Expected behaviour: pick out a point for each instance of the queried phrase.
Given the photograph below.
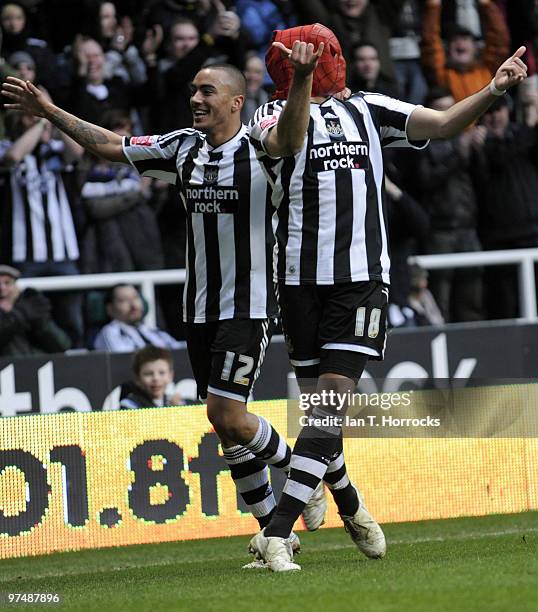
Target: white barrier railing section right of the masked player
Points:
(523, 258)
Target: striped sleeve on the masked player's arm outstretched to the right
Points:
(392, 117)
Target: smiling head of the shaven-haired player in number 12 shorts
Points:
(215, 99)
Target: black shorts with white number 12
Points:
(226, 356)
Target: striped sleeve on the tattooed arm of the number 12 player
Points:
(156, 156)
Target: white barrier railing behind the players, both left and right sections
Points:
(523, 258)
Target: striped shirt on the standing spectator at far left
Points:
(36, 223)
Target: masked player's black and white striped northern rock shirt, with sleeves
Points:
(330, 219)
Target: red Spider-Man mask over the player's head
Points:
(330, 72)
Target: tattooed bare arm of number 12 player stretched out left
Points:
(29, 99)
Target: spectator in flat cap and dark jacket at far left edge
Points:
(26, 327)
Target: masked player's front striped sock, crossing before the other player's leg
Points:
(309, 462)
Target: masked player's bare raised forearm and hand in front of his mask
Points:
(287, 137)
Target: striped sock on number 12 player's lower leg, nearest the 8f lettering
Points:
(251, 478)
